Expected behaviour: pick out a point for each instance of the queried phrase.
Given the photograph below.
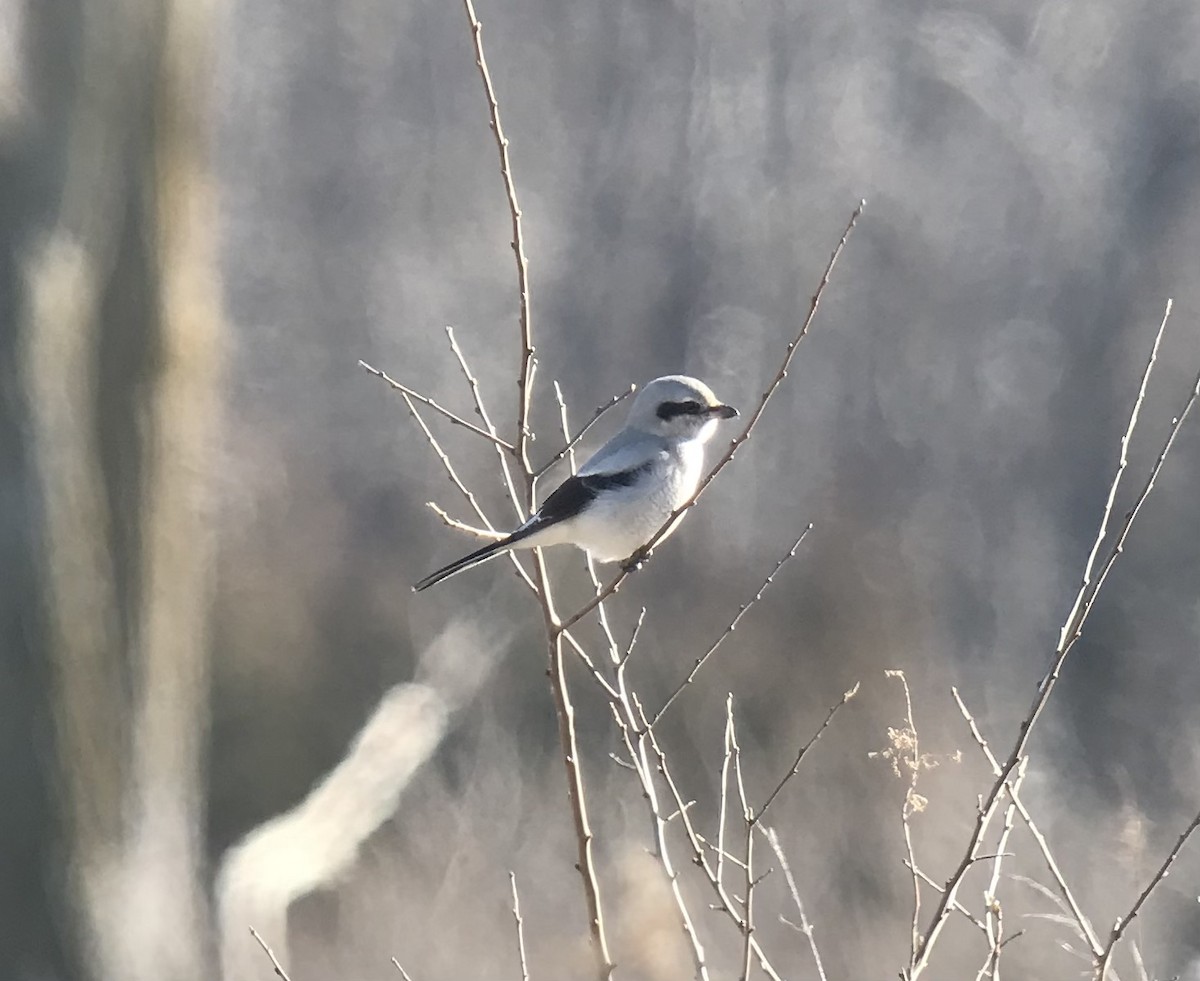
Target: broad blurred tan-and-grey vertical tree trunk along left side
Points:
(115, 270)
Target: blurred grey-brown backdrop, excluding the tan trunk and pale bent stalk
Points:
(951, 428)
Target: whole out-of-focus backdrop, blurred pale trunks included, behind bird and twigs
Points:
(212, 516)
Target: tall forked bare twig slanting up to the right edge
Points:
(1072, 631)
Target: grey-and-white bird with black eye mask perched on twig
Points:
(626, 491)
